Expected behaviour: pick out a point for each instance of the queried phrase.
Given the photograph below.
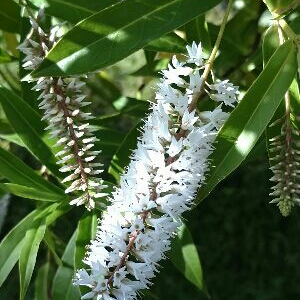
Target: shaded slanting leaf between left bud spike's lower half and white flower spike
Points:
(121, 159)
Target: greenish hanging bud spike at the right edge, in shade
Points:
(285, 165)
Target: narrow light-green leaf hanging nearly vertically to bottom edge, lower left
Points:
(30, 247)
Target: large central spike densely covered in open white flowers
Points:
(159, 184)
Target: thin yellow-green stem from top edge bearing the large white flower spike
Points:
(212, 57)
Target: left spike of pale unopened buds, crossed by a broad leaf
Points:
(62, 101)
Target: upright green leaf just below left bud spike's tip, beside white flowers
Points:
(86, 231)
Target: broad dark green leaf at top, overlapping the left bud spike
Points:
(116, 32)
